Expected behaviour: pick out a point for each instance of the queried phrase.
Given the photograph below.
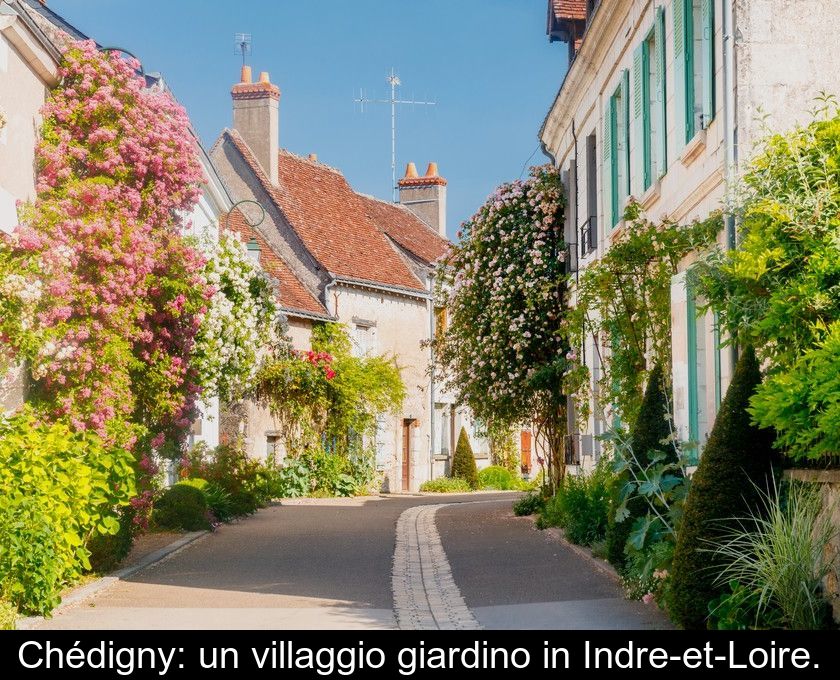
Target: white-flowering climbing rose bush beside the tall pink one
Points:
(242, 320)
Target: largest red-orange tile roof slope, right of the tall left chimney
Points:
(330, 219)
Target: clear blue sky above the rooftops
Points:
(487, 62)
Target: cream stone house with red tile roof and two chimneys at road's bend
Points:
(346, 258)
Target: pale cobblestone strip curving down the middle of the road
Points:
(425, 594)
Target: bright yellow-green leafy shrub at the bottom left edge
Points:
(58, 488)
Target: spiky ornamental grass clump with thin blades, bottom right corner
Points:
(777, 554)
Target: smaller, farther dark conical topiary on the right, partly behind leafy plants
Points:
(650, 428)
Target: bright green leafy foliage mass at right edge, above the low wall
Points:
(779, 290)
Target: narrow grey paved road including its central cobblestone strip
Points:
(457, 562)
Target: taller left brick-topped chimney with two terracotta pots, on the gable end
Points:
(256, 116)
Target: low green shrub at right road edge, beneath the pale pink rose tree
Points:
(581, 505)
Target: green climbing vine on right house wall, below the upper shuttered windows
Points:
(623, 302)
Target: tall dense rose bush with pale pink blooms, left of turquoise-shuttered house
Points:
(504, 351)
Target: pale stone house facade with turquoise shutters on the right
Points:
(662, 101)
